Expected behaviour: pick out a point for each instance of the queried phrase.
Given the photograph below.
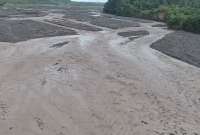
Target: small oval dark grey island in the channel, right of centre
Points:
(133, 33)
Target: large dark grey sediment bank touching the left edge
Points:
(15, 31)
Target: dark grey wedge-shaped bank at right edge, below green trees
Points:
(181, 45)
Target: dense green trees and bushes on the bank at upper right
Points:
(178, 14)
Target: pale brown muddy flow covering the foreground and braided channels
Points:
(89, 84)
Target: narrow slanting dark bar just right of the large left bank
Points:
(74, 25)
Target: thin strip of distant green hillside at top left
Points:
(34, 1)
